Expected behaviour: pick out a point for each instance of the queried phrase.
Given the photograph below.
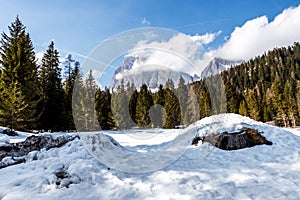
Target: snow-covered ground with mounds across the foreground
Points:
(202, 172)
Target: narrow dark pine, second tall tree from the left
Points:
(53, 95)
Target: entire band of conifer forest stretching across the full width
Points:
(37, 97)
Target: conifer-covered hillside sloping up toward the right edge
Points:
(265, 88)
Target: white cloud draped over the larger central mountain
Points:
(181, 52)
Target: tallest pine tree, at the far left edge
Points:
(17, 59)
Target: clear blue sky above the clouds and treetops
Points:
(78, 26)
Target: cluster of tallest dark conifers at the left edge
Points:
(33, 97)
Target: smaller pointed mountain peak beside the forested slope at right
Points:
(217, 65)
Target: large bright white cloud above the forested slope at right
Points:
(259, 35)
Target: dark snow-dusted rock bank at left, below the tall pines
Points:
(32, 143)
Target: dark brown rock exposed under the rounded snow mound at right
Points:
(232, 141)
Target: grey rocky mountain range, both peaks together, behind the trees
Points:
(153, 76)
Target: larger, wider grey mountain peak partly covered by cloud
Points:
(151, 75)
